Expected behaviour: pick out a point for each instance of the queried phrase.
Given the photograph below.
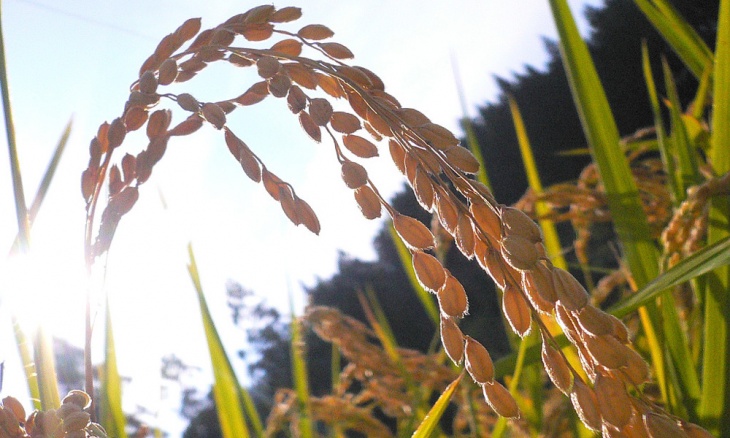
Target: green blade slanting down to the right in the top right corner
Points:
(678, 33)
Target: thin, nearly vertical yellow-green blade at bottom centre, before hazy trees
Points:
(301, 382)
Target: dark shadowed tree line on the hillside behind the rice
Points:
(544, 98)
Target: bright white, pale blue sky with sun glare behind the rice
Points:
(76, 60)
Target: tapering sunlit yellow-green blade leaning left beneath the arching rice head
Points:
(225, 386)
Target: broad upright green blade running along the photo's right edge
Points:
(715, 402)
